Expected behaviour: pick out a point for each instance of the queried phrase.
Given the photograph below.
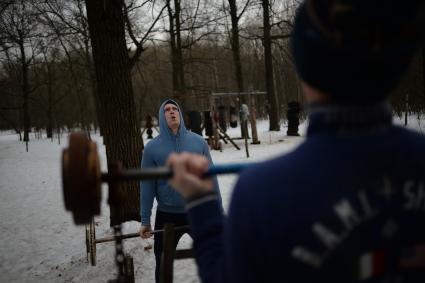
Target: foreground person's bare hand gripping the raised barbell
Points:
(188, 169)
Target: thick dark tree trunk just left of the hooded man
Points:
(122, 130)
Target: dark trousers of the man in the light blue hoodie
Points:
(178, 219)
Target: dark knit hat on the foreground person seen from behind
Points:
(356, 50)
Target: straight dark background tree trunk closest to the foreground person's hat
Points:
(273, 101)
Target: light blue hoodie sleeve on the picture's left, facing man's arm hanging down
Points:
(147, 190)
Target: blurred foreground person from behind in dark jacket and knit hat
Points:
(348, 205)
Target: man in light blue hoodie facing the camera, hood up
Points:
(173, 137)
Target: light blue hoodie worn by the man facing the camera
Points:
(155, 154)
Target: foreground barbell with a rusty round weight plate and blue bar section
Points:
(82, 177)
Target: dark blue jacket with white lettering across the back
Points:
(348, 205)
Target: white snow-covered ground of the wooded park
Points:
(40, 243)
